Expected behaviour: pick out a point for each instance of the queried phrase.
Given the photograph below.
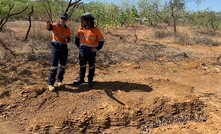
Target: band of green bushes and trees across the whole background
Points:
(156, 12)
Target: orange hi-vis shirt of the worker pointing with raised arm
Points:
(60, 34)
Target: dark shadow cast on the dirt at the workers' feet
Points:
(108, 88)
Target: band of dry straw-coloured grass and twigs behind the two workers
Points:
(132, 44)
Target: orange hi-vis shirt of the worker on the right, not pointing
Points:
(90, 37)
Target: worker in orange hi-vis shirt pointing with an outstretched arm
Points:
(59, 52)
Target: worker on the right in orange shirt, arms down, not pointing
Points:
(89, 40)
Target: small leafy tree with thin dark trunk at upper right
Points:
(170, 12)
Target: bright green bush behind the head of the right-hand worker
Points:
(109, 14)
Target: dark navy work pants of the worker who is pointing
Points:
(59, 55)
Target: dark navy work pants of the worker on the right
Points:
(87, 56)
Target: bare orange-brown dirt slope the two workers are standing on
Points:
(147, 86)
